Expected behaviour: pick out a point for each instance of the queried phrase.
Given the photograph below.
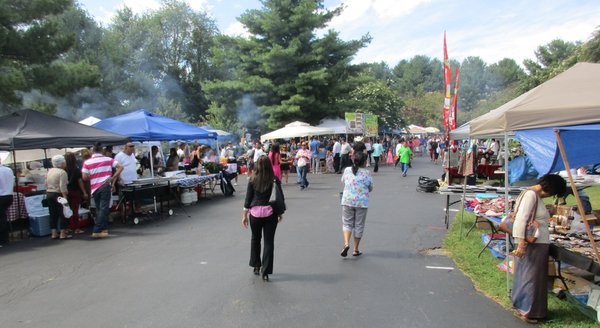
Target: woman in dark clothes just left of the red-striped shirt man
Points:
(77, 191)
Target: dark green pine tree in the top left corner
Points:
(31, 45)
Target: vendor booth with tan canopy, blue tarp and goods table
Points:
(555, 118)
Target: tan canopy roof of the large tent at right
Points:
(570, 98)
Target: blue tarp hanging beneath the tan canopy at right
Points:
(581, 143)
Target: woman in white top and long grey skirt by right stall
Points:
(530, 287)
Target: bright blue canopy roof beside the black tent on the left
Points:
(145, 126)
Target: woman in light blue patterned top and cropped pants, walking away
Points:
(358, 183)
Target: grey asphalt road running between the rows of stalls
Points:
(193, 271)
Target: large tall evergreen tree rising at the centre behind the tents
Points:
(287, 71)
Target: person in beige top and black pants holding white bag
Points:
(56, 186)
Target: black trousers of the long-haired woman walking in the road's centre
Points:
(260, 226)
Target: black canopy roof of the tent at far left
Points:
(30, 129)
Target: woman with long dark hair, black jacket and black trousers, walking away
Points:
(263, 221)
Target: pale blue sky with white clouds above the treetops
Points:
(402, 29)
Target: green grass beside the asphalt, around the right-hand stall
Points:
(492, 282)
